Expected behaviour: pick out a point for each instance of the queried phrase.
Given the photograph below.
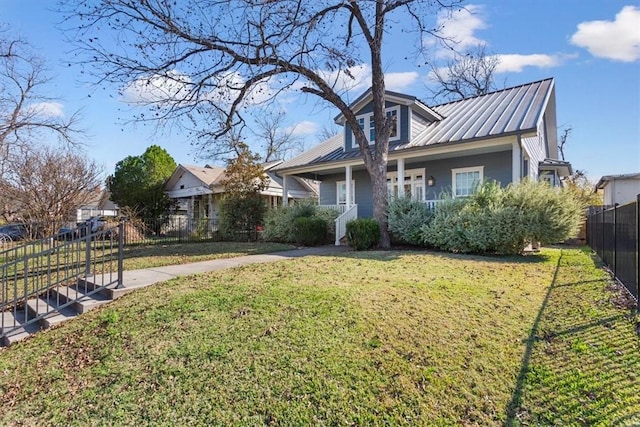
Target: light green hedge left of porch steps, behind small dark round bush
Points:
(279, 223)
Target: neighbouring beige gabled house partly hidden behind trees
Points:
(197, 190)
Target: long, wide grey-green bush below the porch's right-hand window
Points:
(503, 220)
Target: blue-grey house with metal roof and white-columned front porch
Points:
(506, 135)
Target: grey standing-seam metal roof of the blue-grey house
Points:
(503, 112)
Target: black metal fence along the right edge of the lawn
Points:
(613, 234)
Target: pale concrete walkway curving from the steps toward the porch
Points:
(134, 279)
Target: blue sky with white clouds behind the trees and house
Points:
(590, 47)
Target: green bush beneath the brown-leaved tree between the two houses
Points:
(240, 217)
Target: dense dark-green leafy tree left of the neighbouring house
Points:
(138, 182)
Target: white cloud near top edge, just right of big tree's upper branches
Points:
(460, 26)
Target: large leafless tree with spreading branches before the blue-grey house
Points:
(199, 60)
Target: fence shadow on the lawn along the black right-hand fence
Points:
(580, 363)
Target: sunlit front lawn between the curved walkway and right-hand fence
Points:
(374, 338)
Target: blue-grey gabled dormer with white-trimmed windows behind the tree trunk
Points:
(409, 113)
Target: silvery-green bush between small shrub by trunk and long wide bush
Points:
(406, 216)
